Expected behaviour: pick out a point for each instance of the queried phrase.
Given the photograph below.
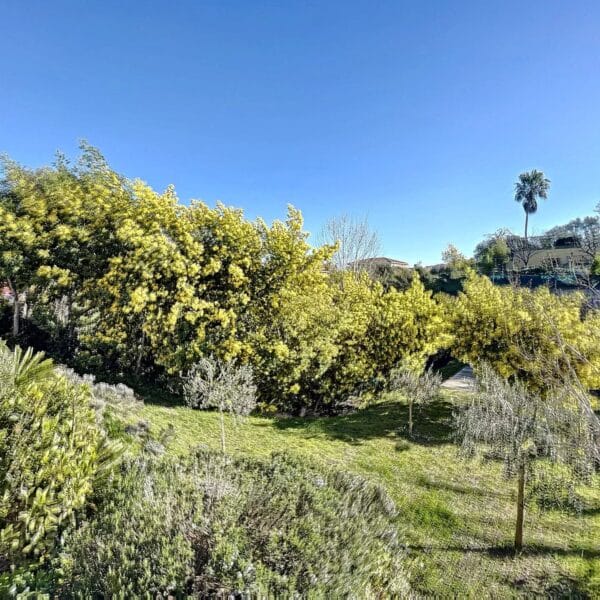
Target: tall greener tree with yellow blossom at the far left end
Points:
(57, 226)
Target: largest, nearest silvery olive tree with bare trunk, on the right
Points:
(521, 427)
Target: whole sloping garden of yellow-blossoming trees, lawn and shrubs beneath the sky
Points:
(194, 404)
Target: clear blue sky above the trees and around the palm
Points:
(421, 114)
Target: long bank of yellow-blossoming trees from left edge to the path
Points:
(128, 281)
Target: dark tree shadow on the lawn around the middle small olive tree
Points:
(386, 419)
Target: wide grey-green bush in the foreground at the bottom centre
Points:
(209, 525)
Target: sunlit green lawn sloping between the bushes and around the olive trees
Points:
(457, 517)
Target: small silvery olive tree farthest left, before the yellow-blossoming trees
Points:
(224, 386)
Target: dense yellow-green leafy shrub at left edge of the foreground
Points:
(51, 453)
